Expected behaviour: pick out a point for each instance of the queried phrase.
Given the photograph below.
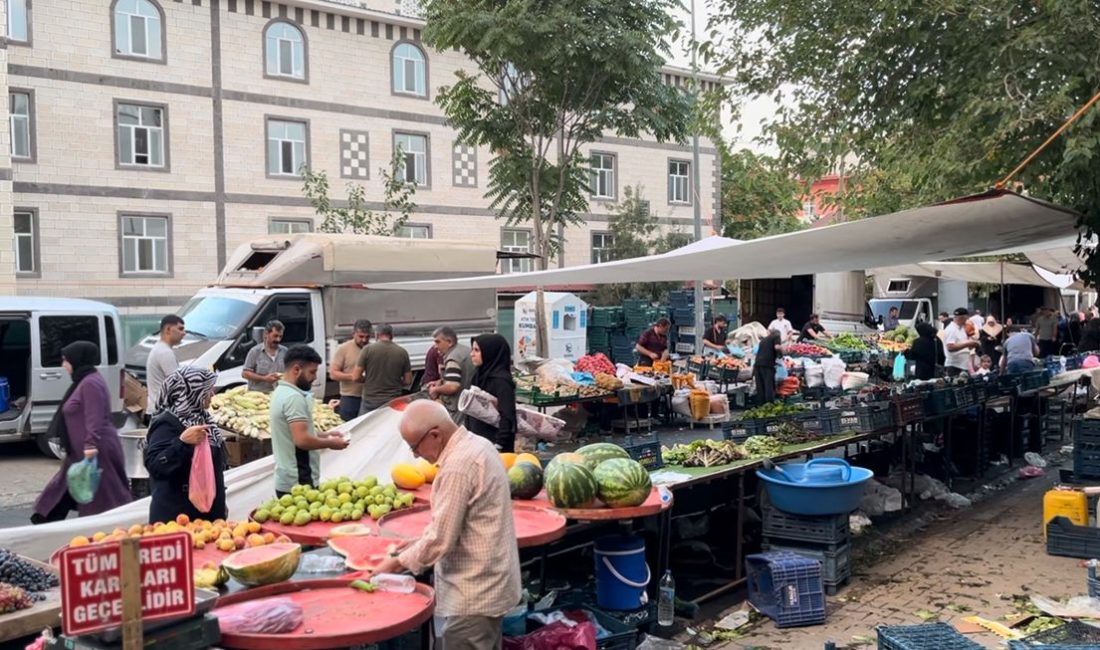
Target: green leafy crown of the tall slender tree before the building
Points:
(552, 79)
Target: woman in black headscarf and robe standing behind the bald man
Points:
(492, 357)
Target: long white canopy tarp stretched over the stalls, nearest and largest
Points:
(971, 226)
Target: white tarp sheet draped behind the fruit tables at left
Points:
(376, 448)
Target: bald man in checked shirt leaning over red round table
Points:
(471, 537)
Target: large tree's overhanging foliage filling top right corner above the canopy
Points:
(936, 100)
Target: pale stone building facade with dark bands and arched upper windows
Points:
(148, 138)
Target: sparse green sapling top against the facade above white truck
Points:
(357, 217)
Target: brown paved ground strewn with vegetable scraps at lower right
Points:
(967, 560)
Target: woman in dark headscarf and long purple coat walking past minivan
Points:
(83, 426)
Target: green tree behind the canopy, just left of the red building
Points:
(758, 197)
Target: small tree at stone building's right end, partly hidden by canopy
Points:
(636, 233)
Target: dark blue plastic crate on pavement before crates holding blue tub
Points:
(787, 589)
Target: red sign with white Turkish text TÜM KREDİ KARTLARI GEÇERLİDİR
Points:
(92, 582)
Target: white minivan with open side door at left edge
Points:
(32, 334)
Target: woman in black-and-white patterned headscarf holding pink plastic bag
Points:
(182, 423)
